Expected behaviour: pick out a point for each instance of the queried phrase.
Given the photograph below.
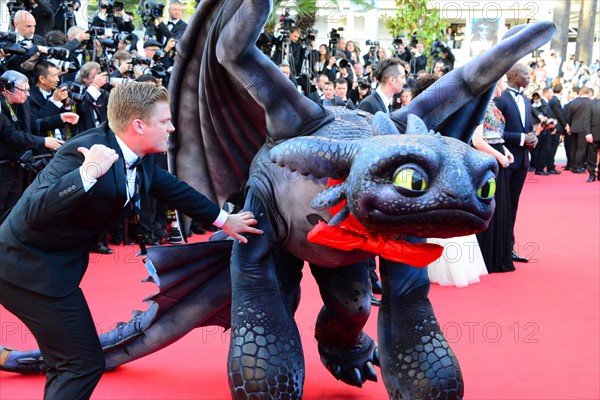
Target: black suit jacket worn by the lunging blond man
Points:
(45, 241)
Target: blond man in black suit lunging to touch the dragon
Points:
(92, 182)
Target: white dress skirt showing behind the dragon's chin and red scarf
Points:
(461, 262)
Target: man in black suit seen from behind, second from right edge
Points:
(579, 118)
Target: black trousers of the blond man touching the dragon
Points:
(65, 332)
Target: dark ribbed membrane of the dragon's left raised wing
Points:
(220, 126)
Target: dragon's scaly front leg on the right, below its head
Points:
(416, 360)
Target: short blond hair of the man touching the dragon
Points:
(131, 101)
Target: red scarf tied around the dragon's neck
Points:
(416, 254)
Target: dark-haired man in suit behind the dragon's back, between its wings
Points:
(391, 77)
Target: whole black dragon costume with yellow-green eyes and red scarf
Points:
(332, 187)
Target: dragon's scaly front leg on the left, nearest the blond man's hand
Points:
(265, 353)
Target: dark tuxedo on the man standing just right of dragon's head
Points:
(514, 129)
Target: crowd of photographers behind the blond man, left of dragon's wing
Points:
(56, 79)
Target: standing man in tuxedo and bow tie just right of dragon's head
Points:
(518, 136)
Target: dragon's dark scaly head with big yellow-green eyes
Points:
(420, 184)
